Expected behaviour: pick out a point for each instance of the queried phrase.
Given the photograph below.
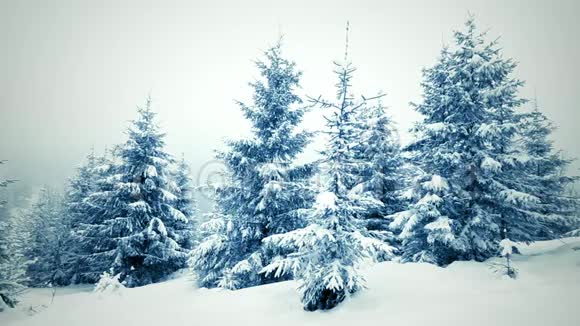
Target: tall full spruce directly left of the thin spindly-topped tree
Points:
(266, 189)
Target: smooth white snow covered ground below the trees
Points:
(547, 292)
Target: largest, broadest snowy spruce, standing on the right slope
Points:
(470, 189)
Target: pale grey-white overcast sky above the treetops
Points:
(72, 72)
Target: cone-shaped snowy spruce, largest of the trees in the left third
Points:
(135, 219)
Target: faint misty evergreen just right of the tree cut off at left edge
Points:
(51, 241)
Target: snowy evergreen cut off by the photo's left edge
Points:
(13, 263)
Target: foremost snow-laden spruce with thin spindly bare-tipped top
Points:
(326, 255)
